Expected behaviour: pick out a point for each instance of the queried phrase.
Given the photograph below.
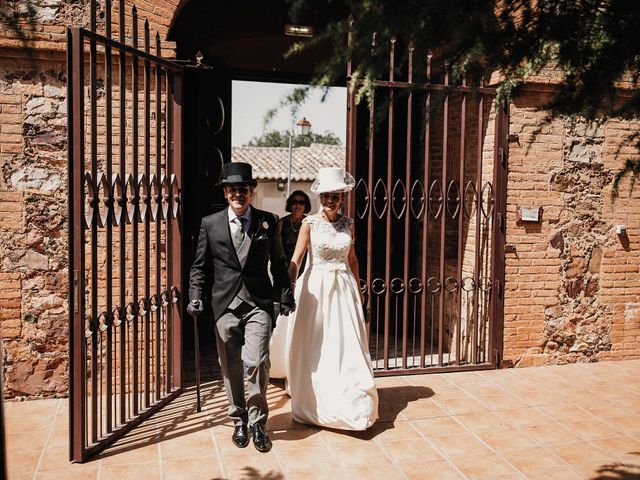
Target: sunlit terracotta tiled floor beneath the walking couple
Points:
(558, 422)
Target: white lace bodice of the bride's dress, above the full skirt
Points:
(330, 241)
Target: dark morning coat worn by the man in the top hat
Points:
(215, 254)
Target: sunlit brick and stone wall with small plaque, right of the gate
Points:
(571, 282)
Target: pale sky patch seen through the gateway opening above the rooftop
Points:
(251, 100)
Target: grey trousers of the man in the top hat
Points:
(242, 335)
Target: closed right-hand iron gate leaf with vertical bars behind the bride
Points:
(430, 163)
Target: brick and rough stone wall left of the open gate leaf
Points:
(33, 195)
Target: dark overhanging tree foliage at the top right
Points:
(593, 43)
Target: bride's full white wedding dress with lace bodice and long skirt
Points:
(322, 348)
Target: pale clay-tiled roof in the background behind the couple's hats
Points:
(272, 163)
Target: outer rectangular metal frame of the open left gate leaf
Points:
(76, 37)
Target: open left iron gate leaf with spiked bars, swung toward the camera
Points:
(125, 264)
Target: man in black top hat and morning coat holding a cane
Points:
(234, 249)
